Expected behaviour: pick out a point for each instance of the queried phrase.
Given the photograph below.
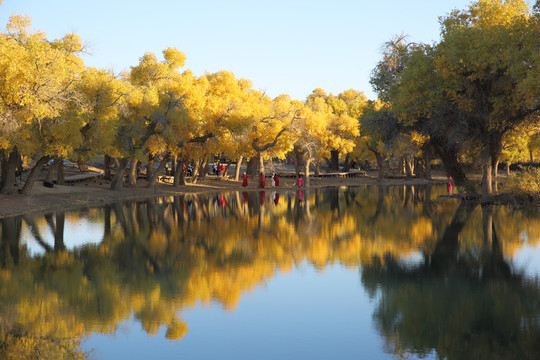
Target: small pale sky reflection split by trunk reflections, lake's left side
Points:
(76, 234)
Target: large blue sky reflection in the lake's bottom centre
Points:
(302, 314)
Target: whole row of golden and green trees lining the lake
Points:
(475, 92)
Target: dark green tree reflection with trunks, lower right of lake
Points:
(459, 303)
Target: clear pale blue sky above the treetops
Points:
(287, 47)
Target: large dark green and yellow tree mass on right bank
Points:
(474, 95)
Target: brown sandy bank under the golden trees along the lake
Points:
(96, 191)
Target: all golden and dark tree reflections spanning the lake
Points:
(160, 256)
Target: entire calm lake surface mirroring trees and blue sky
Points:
(339, 273)
